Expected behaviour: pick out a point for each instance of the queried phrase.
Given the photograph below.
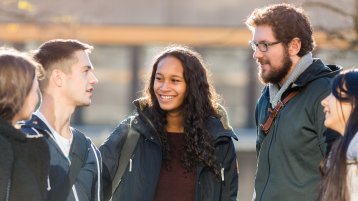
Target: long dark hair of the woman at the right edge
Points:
(334, 183)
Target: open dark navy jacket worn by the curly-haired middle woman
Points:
(140, 181)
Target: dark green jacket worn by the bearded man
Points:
(289, 155)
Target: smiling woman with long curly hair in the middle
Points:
(185, 149)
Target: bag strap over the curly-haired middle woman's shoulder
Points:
(129, 145)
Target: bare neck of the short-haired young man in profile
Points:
(57, 114)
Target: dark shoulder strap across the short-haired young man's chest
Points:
(78, 157)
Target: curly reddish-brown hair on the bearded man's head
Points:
(287, 22)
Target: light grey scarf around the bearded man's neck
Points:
(276, 92)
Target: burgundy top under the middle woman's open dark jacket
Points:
(175, 184)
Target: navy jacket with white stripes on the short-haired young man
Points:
(87, 186)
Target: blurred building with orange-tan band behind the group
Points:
(127, 34)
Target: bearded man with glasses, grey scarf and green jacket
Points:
(291, 137)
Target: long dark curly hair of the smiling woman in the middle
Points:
(200, 102)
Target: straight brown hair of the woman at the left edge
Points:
(17, 73)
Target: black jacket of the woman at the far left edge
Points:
(24, 164)
